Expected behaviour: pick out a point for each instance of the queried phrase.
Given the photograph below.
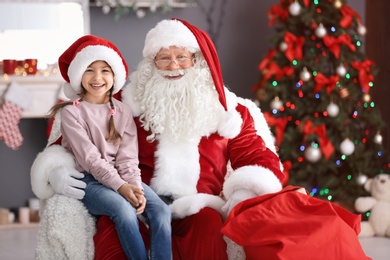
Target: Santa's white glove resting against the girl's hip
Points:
(65, 181)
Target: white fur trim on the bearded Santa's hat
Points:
(169, 33)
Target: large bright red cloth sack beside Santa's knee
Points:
(291, 225)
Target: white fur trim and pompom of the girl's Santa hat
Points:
(88, 55)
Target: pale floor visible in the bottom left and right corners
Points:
(18, 243)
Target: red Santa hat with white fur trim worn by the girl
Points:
(87, 49)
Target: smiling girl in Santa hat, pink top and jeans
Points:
(106, 152)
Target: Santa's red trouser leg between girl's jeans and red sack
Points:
(199, 237)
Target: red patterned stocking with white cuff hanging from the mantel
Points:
(15, 100)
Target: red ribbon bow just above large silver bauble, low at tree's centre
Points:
(325, 145)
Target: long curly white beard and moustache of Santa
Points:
(182, 110)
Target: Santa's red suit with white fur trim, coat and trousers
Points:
(196, 228)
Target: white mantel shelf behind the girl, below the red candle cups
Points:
(45, 92)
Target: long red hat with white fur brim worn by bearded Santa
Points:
(176, 32)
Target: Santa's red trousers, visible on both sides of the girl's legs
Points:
(195, 237)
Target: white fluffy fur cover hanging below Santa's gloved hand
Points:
(66, 230)
